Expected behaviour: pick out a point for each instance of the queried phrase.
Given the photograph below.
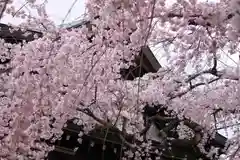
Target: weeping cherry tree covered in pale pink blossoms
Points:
(75, 73)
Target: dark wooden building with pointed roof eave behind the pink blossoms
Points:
(91, 147)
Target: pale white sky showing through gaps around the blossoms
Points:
(57, 10)
